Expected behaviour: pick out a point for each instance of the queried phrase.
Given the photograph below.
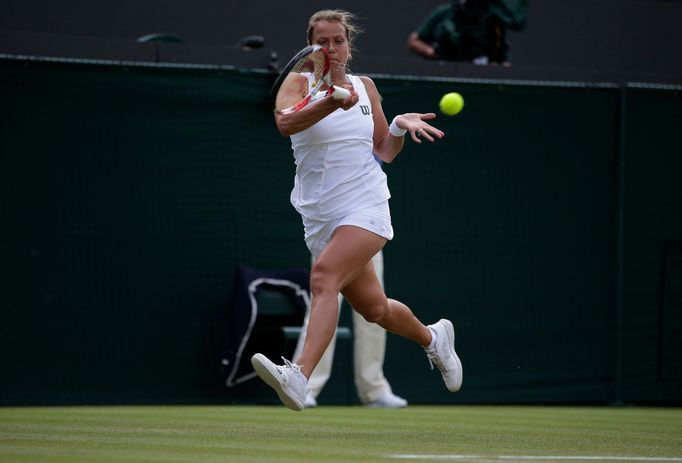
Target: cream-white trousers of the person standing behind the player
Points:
(369, 348)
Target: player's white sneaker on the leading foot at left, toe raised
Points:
(287, 380)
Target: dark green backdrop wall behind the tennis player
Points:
(546, 225)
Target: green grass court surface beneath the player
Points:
(336, 434)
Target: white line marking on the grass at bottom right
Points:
(484, 458)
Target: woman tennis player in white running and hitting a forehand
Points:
(342, 195)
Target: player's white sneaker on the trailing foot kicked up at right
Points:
(443, 355)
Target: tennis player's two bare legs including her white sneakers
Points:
(345, 264)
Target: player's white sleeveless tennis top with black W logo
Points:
(336, 173)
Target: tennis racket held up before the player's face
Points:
(305, 78)
